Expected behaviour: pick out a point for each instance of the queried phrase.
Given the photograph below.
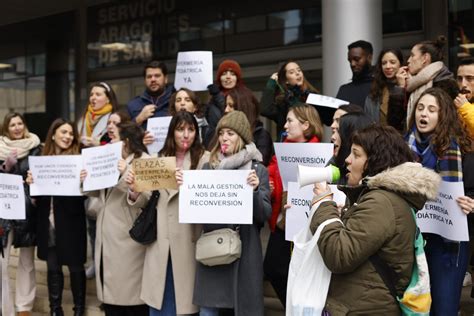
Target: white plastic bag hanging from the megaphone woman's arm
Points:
(308, 276)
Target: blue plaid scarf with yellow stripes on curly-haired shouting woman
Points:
(449, 166)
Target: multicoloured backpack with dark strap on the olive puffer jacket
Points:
(416, 299)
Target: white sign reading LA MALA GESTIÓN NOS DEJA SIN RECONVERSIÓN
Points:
(215, 197)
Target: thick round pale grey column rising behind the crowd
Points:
(346, 21)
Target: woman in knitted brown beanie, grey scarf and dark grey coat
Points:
(237, 285)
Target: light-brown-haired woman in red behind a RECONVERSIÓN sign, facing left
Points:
(302, 126)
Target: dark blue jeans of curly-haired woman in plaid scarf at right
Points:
(447, 263)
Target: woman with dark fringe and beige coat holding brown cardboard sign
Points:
(170, 265)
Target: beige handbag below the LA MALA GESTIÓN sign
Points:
(218, 247)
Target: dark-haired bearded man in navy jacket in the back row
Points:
(154, 101)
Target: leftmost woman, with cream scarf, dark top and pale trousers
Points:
(16, 145)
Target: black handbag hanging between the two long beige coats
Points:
(144, 228)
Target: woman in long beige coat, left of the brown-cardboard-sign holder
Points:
(119, 258)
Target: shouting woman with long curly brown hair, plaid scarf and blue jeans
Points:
(439, 142)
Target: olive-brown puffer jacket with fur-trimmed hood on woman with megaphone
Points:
(378, 220)
